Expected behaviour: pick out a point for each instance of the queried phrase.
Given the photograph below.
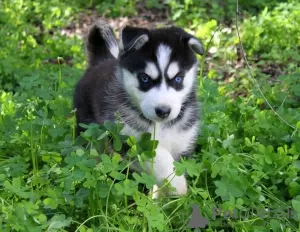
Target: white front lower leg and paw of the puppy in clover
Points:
(164, 169)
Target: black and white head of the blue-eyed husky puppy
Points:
(158, 69)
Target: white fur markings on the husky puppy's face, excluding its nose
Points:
(161, 95)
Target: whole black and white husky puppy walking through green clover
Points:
(149, 77)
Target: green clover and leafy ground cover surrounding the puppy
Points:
(247, 156)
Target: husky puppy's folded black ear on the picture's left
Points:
(133, 38)
